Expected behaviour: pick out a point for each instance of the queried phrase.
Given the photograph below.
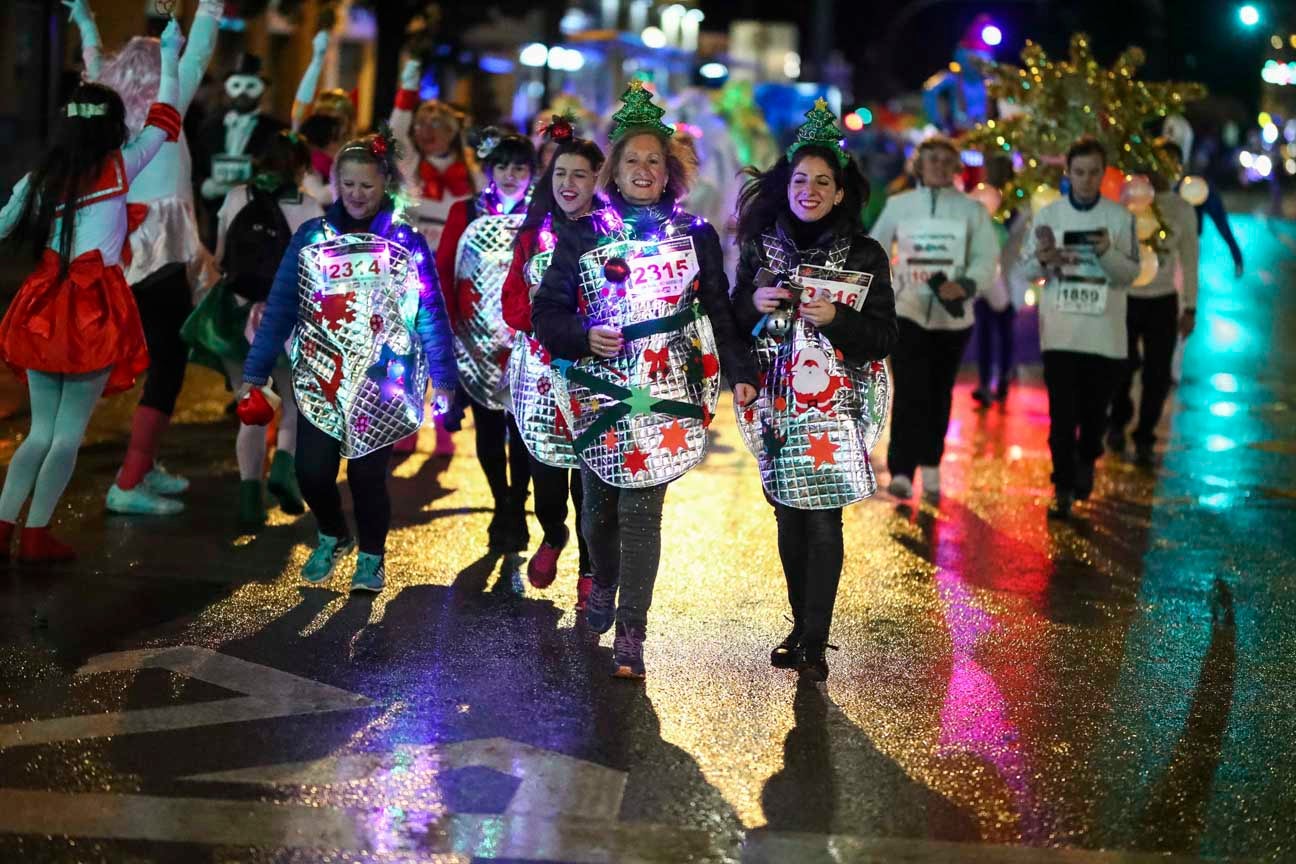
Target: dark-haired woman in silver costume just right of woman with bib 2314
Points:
(472, 261)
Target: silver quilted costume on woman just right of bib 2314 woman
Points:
(483, 340)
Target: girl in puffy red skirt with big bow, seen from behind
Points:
(73, 330)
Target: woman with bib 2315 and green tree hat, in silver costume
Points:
(642, 317)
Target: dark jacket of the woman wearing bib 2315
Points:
(562, 330)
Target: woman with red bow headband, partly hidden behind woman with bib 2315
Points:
(563, 204)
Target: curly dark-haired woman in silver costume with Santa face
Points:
(824, 389)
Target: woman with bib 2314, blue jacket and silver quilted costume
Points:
(358, 292)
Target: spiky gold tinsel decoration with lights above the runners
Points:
(1054, 103)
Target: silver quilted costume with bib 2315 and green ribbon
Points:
(641, 419)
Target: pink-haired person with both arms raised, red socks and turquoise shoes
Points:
(167, 256)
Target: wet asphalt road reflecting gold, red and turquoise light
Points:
(1005, 691)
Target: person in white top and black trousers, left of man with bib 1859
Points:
(947, 253)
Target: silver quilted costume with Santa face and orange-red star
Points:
(817, 416)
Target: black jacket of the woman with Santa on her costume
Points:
(865, 335)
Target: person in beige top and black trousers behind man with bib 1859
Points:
(1159, 314)
